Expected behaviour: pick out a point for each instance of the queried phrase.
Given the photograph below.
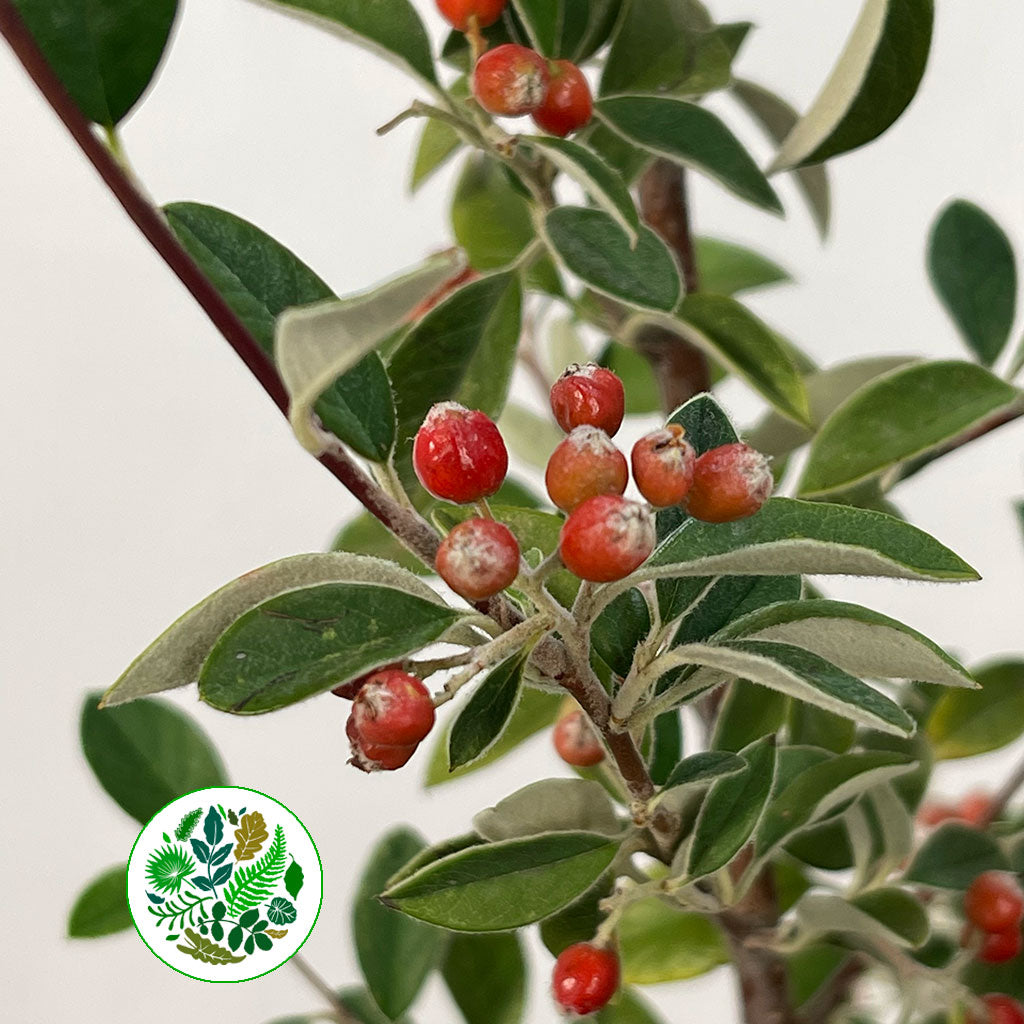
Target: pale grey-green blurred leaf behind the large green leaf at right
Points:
(778, 436)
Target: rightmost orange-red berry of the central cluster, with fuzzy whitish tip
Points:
(730, 483)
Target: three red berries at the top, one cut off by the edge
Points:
(514, 80)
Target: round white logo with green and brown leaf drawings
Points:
(225, 884)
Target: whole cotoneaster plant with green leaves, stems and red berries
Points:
(793, 839)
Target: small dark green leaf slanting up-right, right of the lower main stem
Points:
(732, 810)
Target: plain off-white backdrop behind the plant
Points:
(143, 467)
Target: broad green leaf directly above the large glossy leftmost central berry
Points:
(463, 351)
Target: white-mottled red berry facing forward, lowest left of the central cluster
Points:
(479, 559)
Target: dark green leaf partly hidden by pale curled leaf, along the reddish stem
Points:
(260, 279)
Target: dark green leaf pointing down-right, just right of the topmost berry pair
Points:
(693, 137)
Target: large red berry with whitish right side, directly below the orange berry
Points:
(607, 538)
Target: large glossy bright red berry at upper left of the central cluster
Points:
(459, 455)
